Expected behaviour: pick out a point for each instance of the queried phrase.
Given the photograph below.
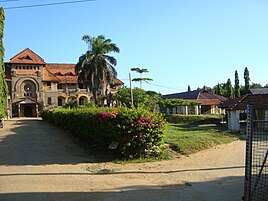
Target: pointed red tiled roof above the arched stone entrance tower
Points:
(27, 56)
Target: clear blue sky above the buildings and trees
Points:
(181, 42)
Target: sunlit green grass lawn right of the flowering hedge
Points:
(190, 138)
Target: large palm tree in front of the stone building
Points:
(96, 68)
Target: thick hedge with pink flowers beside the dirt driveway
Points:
(139, 133)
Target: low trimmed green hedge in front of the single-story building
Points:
(179, 118)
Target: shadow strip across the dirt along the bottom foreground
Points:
(222, 189)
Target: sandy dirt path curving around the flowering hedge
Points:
(40, 162)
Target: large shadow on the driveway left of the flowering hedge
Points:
(35, 142)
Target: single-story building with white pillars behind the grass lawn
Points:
(208, 102)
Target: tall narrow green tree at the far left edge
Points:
(3, 84)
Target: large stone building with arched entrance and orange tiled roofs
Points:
(35, 85)
